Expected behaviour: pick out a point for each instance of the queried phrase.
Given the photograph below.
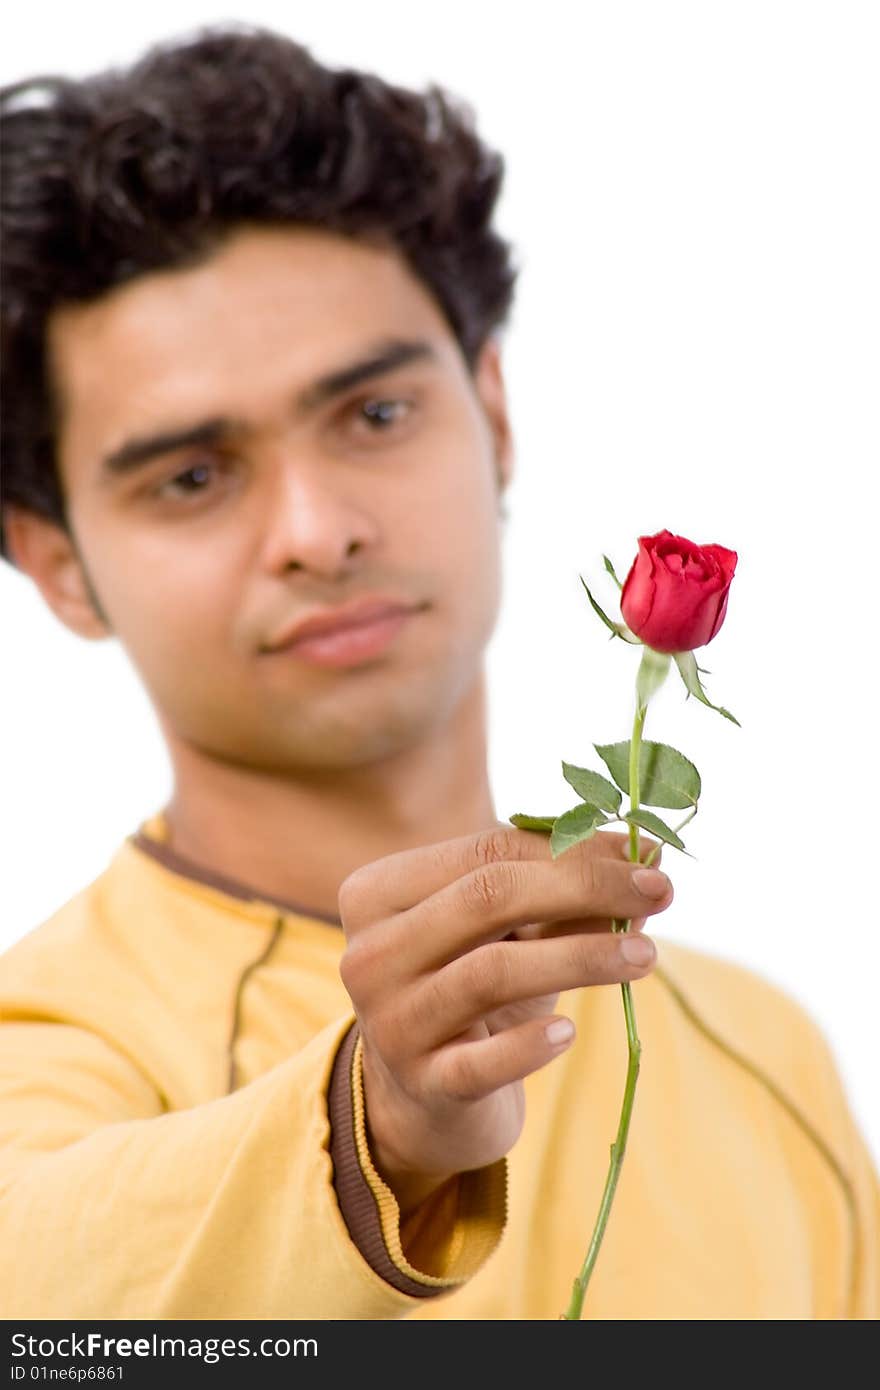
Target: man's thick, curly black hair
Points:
(149, 167)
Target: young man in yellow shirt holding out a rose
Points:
(301, 1050)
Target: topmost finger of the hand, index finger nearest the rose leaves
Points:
(402, 881)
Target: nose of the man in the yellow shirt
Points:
(312, 523)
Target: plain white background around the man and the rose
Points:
(693, 195)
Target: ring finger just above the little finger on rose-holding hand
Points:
(508, 972)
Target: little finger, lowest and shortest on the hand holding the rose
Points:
(472, 1071)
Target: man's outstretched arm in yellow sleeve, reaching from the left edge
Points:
(111, 1206)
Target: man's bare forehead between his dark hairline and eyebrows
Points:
(268, 302)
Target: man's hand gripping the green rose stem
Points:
(455, 960)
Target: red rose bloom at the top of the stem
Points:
(675, 598)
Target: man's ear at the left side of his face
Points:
(45, 551)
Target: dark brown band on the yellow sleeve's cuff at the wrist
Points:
(357, 1202)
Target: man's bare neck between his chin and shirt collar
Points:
(295, 842)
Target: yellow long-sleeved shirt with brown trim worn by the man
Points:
(168, 1052)
